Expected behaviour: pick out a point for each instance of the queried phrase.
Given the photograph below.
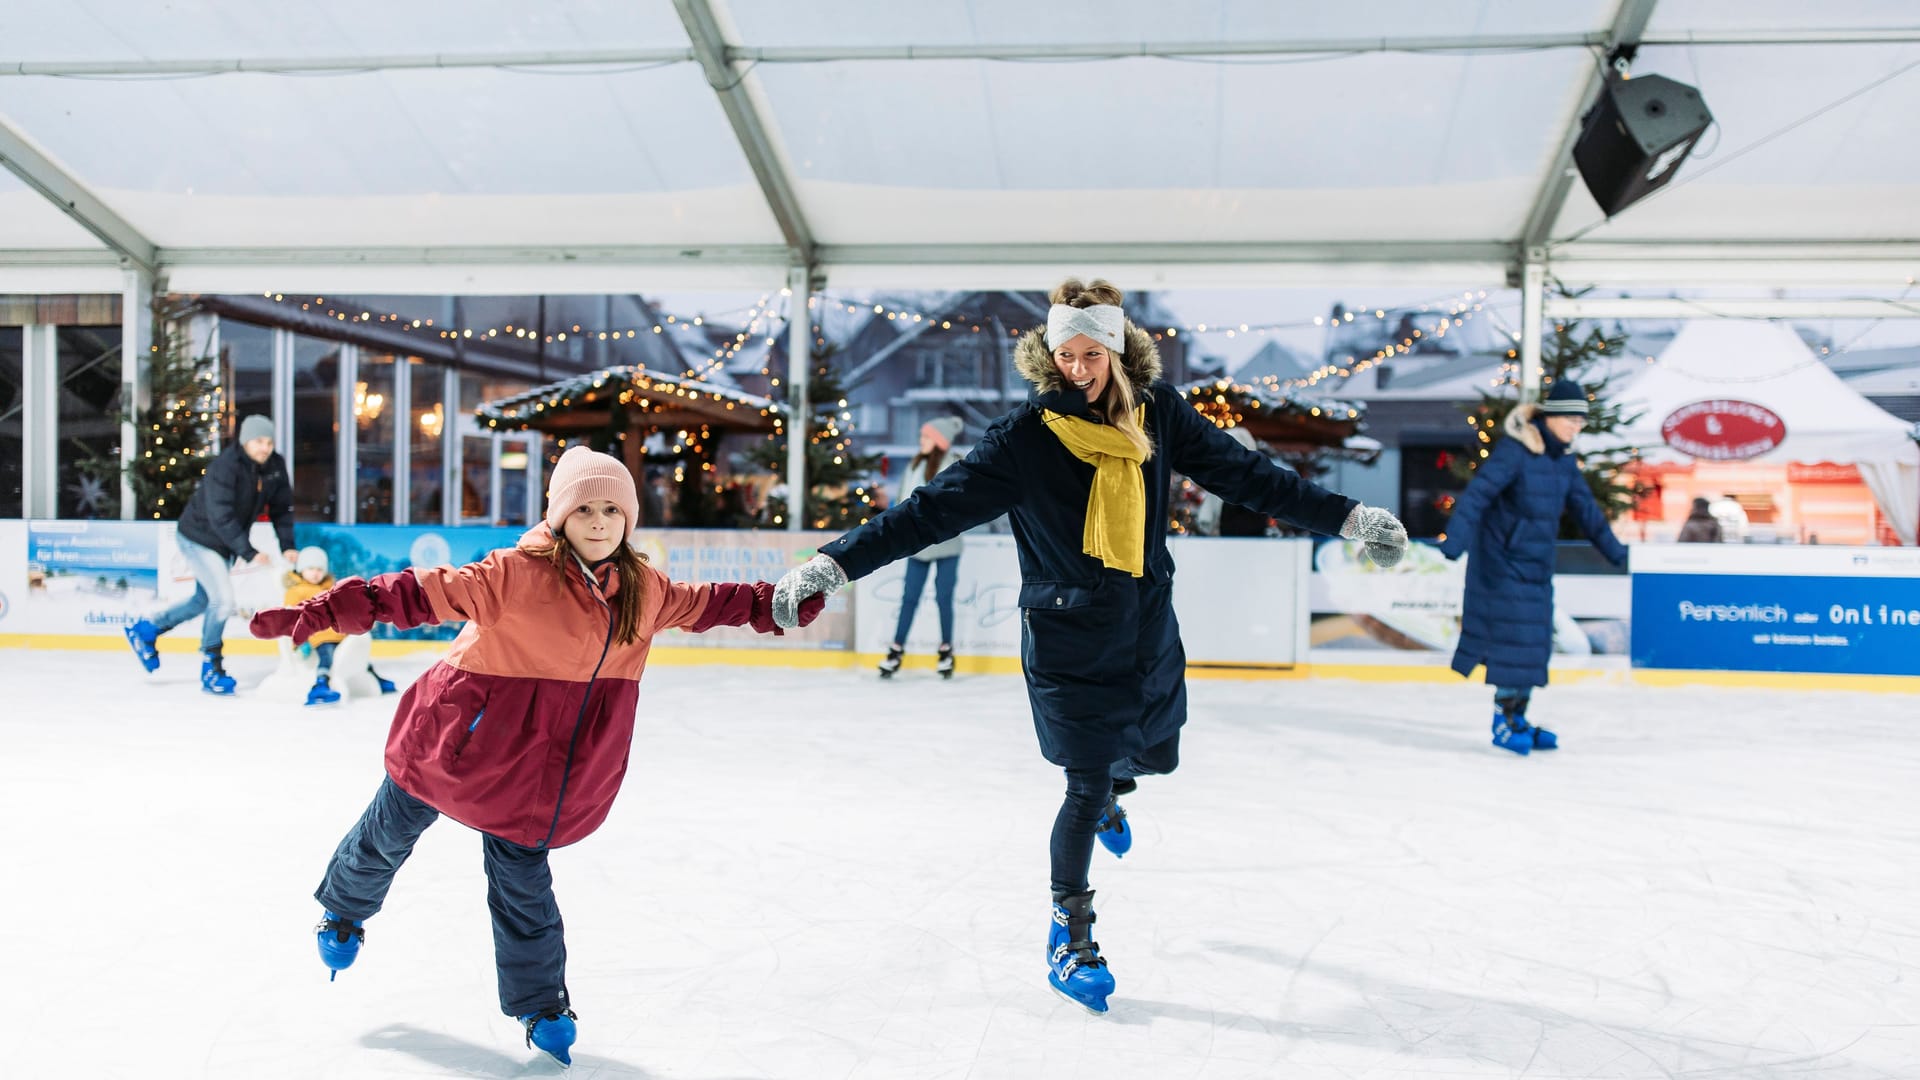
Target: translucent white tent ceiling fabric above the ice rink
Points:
(936, 170)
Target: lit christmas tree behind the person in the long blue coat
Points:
(1585, 355)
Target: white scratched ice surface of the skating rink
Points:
(817, 873)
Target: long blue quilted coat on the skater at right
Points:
(1508, 522)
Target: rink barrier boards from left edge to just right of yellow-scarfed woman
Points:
(1241, 602)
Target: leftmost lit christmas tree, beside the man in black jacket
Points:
(176, 430)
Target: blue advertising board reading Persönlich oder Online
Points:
(1813, 610)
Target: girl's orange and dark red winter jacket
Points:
(523, 729)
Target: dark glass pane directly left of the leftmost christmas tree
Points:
(89, 420)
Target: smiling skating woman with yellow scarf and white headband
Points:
(1084, 474)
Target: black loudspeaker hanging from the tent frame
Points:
(1635, 137)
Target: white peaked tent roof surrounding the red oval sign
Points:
(1767, 364)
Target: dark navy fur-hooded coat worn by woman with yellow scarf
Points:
(1107, 674)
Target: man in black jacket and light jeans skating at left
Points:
(243, 481)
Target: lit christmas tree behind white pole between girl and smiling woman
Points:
(838, 495)
